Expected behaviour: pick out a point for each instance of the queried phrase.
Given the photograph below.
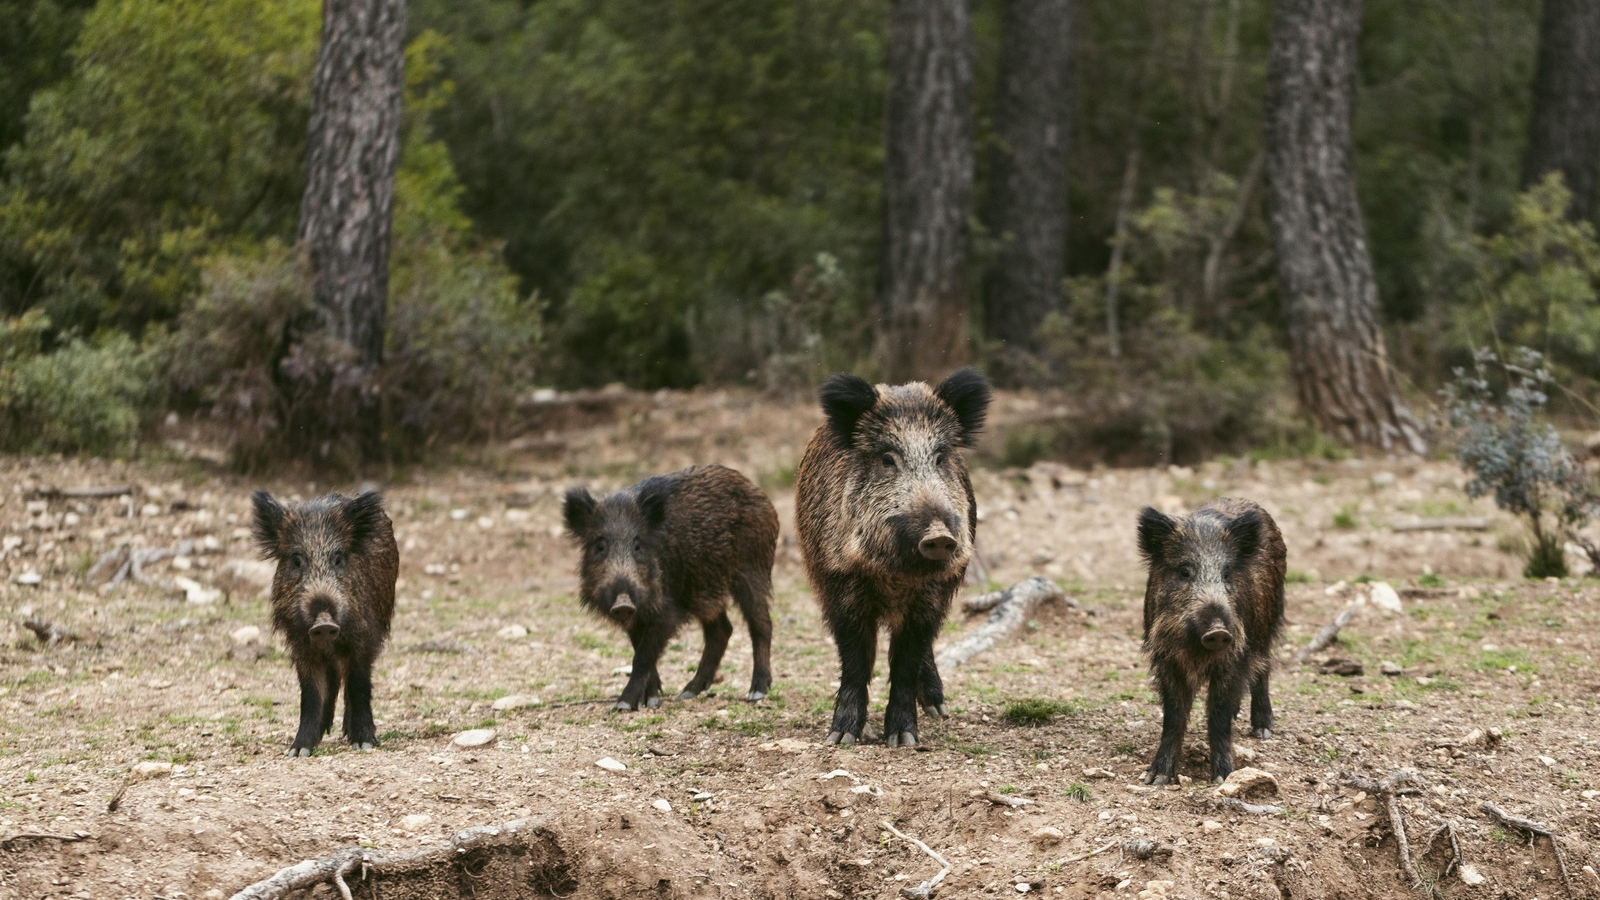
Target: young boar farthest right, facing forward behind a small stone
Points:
(1212, 611)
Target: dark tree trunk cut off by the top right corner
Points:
(1566, 131)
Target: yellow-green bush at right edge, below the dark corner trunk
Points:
(1538, 283)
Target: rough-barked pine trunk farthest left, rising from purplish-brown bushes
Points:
(353, 151)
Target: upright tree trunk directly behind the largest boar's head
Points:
(927, 190)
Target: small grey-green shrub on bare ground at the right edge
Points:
(1513, 454)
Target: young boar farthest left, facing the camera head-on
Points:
(334, 598)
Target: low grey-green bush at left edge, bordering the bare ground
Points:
(78, 396)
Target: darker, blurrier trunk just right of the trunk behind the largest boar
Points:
(1030, 188)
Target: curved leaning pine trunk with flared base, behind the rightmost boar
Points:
(1326, 271)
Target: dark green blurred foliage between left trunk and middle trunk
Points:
(663, 166)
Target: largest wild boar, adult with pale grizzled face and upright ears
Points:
(887, 523)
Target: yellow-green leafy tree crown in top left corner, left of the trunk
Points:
(180, 127)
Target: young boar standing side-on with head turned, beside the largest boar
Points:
(670, 550)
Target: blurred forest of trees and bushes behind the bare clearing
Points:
(1100, 199)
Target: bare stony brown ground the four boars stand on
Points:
(143, 750)
